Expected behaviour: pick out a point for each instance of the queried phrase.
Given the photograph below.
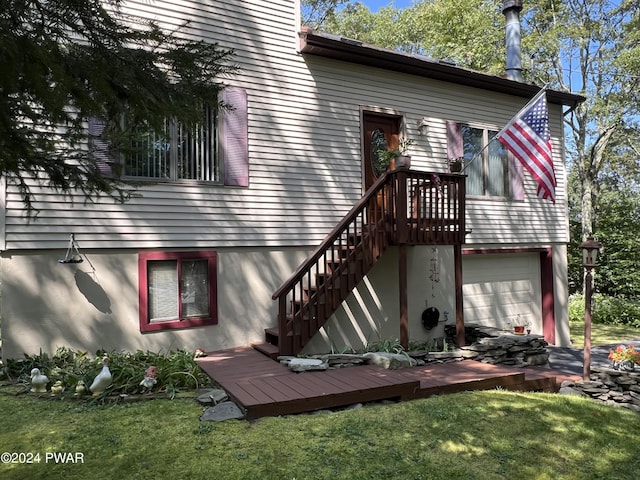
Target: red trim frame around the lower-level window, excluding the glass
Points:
(212, 319)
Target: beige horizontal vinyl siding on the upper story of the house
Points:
(304, 150)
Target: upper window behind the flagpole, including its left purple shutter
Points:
(490, 169)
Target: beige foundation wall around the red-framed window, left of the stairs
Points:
(45, 304)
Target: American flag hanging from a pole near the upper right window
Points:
(528, 138)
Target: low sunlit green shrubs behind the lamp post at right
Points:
(606, 310)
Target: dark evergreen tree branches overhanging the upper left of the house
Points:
(67, 61)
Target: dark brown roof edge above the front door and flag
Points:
(354, 51)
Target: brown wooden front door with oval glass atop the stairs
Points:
(381, 132)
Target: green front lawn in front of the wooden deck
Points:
(480, 435)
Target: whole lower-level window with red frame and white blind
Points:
(177, 290)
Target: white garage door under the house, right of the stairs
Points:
(498, 288)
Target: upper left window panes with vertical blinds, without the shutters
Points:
(177, 152)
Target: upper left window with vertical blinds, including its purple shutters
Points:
(216, 150)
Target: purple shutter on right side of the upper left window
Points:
(234, 137)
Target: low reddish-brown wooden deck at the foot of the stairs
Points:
(264, 387)
